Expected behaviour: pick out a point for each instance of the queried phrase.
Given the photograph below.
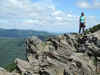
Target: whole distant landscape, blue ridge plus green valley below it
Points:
(12, 43)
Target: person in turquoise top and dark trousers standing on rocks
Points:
(82, 22)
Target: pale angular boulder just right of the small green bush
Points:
(24, 67)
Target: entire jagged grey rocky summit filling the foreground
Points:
(67, 54)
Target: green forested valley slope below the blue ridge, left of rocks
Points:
(11, 48)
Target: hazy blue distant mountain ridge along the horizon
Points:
(15, 33)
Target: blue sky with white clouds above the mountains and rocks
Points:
(48, 15)
